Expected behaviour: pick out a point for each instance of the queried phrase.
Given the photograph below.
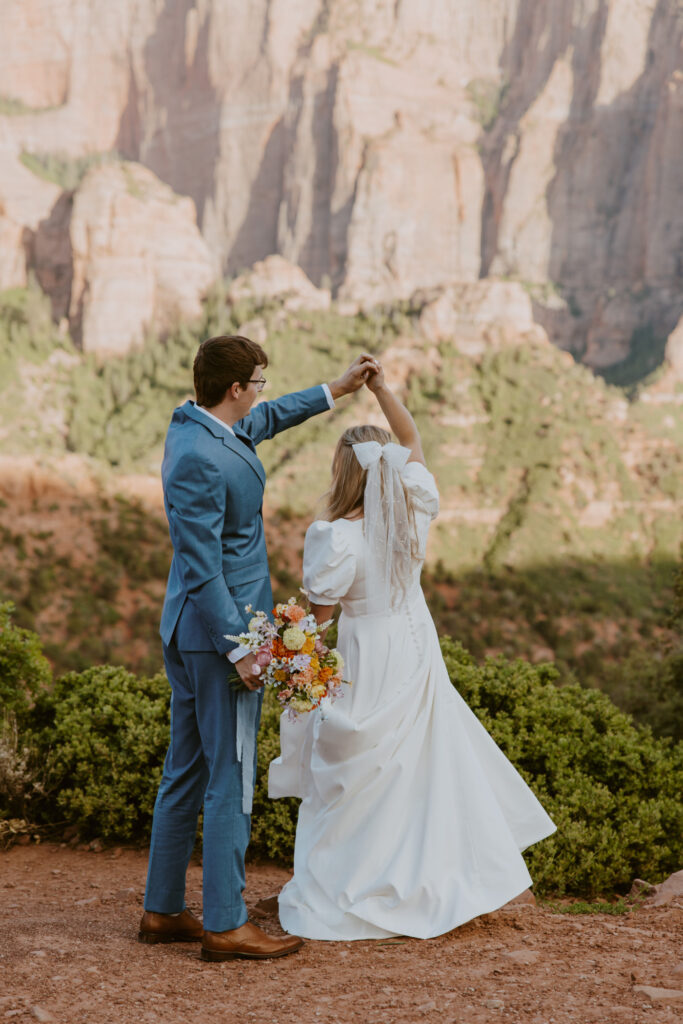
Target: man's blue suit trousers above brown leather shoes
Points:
(201, 769)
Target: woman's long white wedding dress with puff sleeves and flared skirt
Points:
(412, 820)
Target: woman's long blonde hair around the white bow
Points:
(349, 479)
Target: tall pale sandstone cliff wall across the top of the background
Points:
(387, 147)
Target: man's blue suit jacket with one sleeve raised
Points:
(214, 491)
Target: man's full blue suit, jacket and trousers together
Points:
(214, 490)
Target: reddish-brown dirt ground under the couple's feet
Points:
(69, 954)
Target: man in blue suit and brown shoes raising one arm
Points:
(214, 490)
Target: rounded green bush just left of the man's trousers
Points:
(104, 734)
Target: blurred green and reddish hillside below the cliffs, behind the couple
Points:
(561, 525)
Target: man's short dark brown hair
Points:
(221, 363)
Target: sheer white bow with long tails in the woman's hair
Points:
(388, 525)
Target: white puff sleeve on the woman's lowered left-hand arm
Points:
(329, 564)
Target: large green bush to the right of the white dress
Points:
(613, 790)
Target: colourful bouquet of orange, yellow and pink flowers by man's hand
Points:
(292, 657)
